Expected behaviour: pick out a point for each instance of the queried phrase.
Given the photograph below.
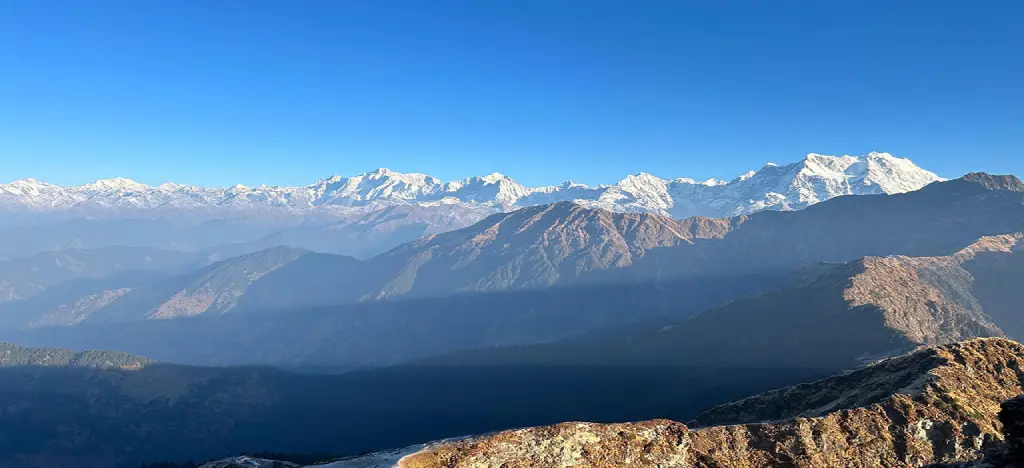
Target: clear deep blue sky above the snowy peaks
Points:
(282, 93)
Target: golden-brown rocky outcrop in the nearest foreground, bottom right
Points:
(936, 406)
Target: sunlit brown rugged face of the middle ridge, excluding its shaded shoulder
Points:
(529, 248)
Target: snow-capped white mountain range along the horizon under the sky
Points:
(792, 187)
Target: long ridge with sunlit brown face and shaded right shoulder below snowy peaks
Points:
(567, 244)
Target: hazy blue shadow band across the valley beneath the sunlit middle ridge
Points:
(381, 333)
